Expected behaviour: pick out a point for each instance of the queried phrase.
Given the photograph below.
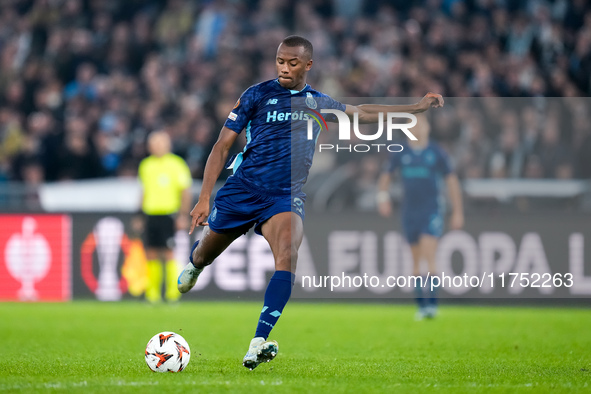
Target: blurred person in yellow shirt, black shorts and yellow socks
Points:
(166, 200)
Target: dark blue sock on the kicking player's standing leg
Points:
(276, 296)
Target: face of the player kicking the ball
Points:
(292, 65)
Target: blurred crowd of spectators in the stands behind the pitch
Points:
(82, 82)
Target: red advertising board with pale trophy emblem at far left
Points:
(35, 258)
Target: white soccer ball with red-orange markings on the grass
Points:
(167, 352)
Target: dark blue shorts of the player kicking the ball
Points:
(237, 208)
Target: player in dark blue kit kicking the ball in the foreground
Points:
(265, 188)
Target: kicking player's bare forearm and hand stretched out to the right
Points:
(368, 113)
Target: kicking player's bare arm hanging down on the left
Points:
(213, 168)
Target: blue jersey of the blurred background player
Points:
(422, 172)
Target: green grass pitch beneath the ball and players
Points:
(323, 347)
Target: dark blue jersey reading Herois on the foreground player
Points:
(278, 152)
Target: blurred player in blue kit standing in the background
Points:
(423, 166)
